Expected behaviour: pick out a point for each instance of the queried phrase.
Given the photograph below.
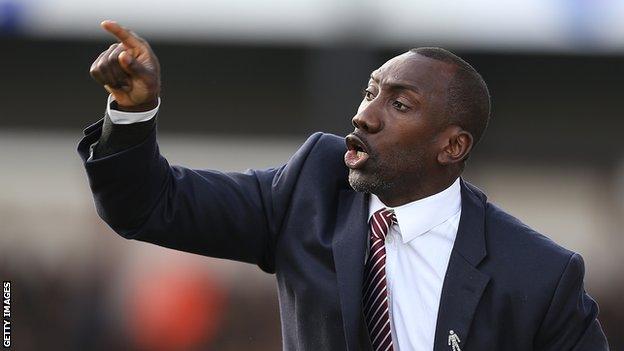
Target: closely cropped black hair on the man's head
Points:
(468, 99)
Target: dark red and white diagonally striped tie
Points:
(375, 297)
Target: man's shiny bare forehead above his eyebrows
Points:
(424, 73)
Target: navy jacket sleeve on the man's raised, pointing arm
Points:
(227, 215)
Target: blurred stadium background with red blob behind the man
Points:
(244, 83)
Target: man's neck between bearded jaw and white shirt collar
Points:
(401, 195)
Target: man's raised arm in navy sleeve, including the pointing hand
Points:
(140, 196)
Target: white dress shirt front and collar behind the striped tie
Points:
(417, 255)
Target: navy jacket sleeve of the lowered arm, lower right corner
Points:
(571, 322)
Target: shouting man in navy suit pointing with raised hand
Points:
(383, 247)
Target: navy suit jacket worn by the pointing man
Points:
(506, 286)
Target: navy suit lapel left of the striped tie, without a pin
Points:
(349, 247)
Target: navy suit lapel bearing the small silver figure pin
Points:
(464, 283)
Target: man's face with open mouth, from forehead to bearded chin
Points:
(393, 147)
